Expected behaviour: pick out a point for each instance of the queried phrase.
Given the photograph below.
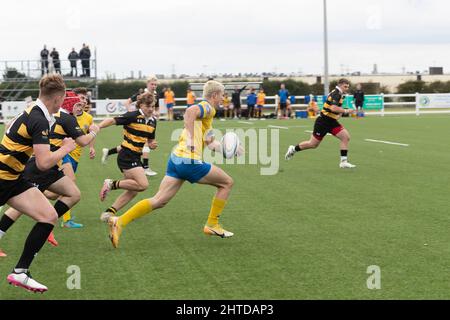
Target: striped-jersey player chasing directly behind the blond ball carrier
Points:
(139, 128)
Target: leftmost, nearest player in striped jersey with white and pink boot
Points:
(28, 133)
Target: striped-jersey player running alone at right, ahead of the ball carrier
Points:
(328, 122)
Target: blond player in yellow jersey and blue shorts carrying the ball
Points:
(186, 164)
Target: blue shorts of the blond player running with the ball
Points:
(187, 169)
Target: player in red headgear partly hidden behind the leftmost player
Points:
(65, 126)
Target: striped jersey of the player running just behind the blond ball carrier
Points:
(136, 130)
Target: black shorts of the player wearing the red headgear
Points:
(42, 179)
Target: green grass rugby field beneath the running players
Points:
(309, 232)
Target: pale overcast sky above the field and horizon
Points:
(232, 36)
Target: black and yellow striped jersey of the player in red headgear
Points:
(66, 126)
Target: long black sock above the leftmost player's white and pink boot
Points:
(36, 239)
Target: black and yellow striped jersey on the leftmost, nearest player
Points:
(27, 129)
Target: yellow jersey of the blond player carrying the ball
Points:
(202, 127)
